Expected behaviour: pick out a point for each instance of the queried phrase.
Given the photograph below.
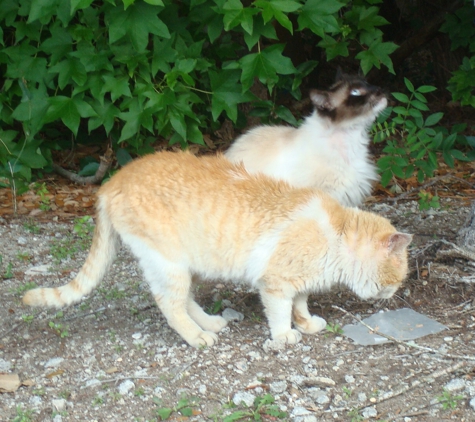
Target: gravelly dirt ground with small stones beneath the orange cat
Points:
(113, 357)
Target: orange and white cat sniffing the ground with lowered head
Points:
(182, 215)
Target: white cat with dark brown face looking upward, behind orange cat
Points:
(329, 151)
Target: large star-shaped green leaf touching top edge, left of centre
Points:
(137, 22)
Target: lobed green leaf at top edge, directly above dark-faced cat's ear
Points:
(318, 16)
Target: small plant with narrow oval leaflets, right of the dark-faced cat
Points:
(414, 142)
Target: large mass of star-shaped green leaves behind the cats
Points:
(132, 70)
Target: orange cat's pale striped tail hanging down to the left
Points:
(101, 255)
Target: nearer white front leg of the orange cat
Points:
(278, 310)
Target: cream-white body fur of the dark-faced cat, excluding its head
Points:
(318, 154)
